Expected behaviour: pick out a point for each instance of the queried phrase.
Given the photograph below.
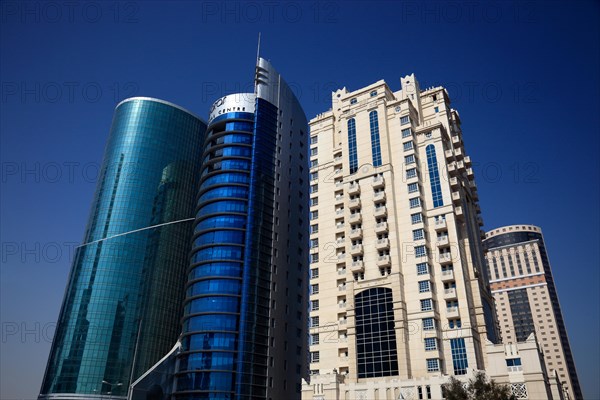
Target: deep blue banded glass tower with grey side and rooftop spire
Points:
(245, 313)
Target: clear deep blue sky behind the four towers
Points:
(523, 75)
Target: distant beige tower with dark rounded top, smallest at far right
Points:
(526, 298)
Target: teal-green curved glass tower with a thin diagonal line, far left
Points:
(122, 304)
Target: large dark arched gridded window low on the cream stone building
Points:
(375, 335)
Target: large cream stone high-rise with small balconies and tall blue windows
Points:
(398, 284)
